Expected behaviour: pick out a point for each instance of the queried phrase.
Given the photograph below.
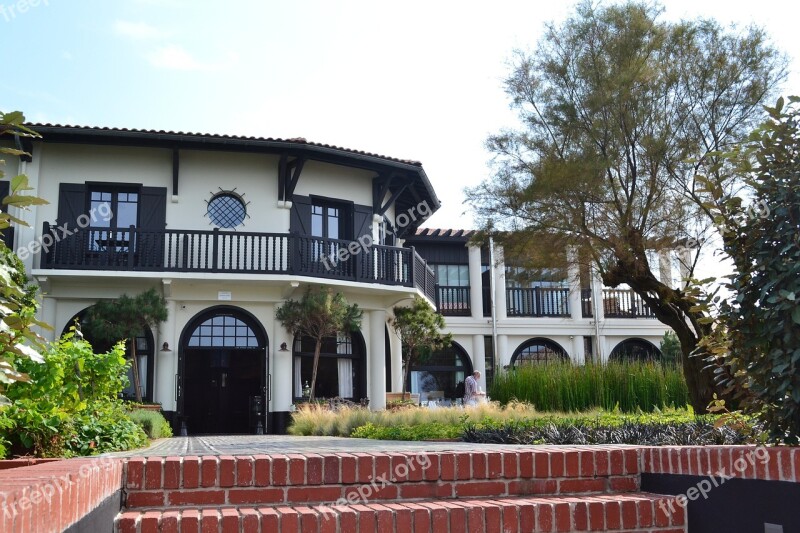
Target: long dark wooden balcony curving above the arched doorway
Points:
(235, 252)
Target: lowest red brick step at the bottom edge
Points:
(630, 512)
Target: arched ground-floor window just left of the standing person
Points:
(436, 376)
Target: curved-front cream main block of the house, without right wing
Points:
(227, 229)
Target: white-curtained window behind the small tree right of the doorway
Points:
(341, 368)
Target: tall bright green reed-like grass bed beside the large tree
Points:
(629, 386)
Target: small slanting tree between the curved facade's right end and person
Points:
(420, 330)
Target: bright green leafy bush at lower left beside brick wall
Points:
(70, 406)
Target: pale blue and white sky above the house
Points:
(414, 80)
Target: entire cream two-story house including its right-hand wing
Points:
(228, 228)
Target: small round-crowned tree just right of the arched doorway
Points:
(319, 314)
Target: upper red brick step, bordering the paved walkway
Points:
(326, 478)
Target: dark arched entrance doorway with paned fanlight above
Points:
(222, 367)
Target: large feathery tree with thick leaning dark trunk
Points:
(620, 111)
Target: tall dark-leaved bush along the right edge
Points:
(759, 335)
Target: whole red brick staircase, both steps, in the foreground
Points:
(547, 489)
